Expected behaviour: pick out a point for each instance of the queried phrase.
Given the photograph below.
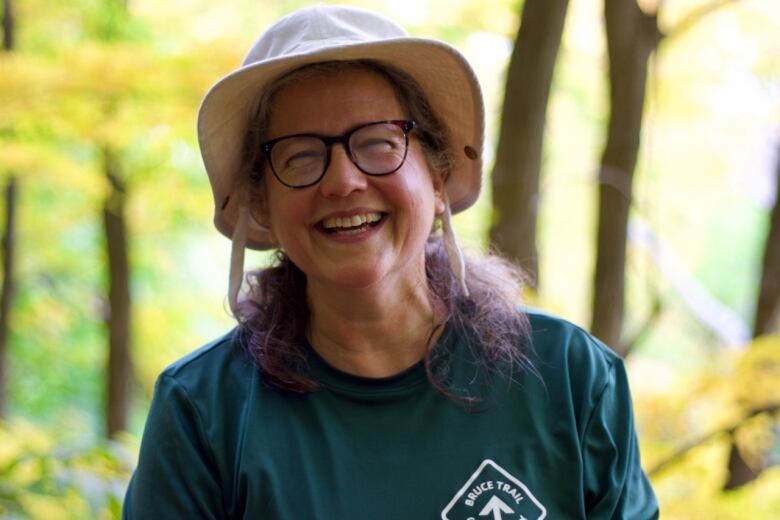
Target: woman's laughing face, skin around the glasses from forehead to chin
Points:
(390, 249)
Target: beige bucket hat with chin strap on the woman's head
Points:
(323, 33)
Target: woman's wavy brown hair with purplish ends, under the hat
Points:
(273, 316)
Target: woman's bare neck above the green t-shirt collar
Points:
(375, 331)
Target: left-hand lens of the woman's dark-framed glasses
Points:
(299, 161)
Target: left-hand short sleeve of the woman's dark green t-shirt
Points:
(175, 476)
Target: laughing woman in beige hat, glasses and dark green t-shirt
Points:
(375, 373)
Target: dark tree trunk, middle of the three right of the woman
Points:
(631, 37)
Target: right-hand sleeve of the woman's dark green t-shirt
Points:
(615, 485)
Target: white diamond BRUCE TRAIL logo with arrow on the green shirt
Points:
(492, 493)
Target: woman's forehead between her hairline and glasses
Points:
(331, 102)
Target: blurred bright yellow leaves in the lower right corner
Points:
(726, 398)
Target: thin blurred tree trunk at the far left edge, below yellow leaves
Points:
(8, 288)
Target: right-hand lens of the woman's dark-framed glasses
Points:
(379, 148)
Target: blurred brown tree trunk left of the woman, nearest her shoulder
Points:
(119, 362)
